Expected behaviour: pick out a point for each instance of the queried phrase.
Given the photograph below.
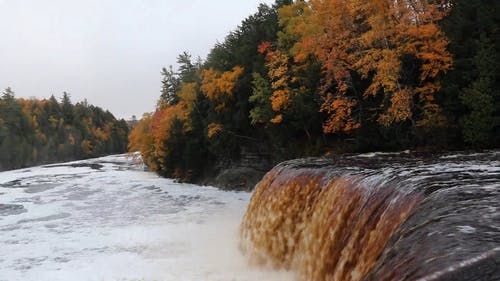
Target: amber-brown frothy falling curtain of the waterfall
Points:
(322, 226)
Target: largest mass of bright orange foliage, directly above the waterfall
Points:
(370, 38)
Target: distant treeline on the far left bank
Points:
(44, 131)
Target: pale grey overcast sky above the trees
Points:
(108, 51)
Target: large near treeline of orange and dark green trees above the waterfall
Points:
(302, 78)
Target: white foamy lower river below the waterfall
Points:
(114, 221)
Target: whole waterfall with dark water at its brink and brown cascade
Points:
(379, 217)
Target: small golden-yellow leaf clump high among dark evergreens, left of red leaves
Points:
(218, 87)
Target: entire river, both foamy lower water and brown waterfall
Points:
(376, 216)
